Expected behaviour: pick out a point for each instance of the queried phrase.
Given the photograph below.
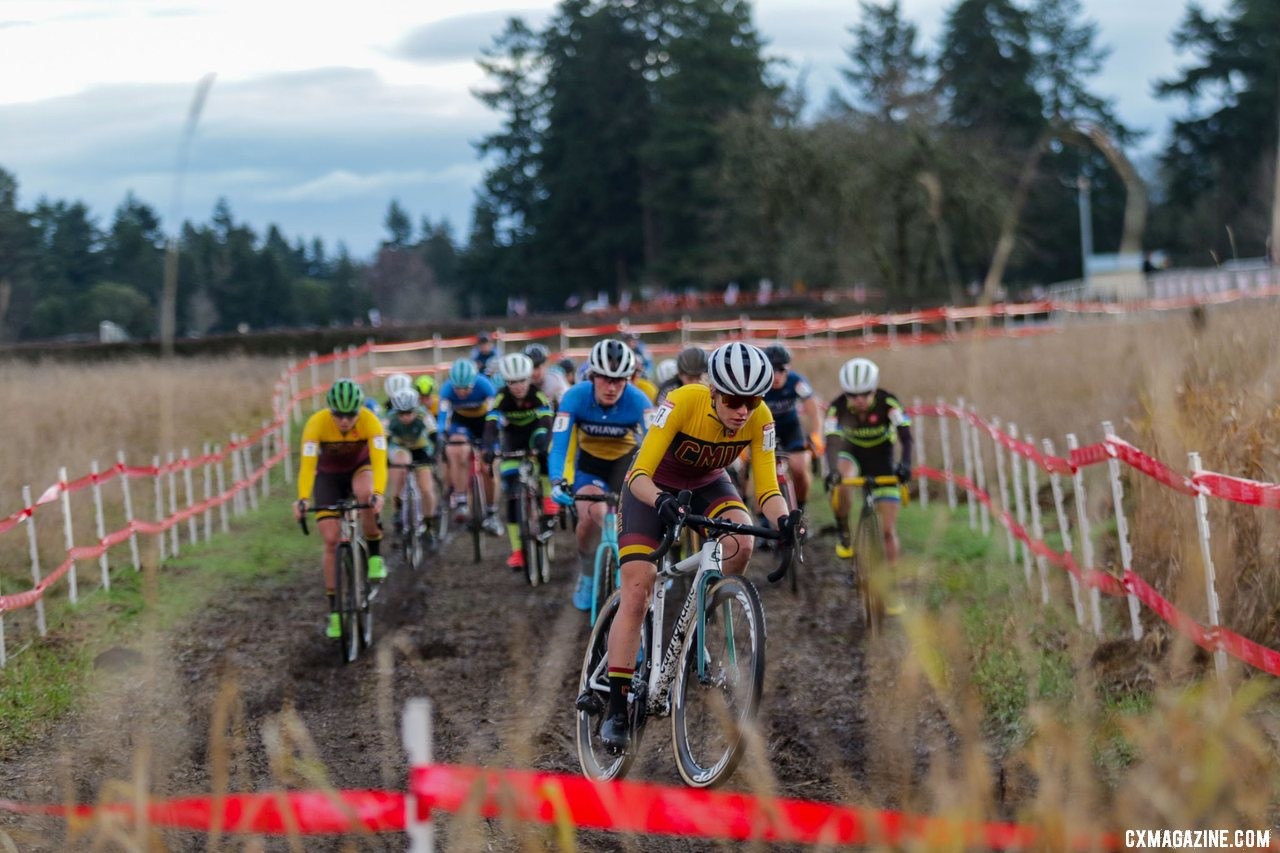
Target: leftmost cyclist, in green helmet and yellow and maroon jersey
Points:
(344, 454)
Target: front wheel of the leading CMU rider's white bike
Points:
(716, 704)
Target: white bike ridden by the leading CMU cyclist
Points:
(707, 676)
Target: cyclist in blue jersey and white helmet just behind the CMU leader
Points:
(605, 416)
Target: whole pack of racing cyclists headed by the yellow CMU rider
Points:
(600, 428)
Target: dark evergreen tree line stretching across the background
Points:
(650, 145)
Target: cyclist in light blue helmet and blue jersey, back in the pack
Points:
(465, 402)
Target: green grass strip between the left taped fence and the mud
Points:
(45, 679)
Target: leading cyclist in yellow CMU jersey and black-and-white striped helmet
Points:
(693, 436)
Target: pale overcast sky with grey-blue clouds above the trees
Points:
(317, 121)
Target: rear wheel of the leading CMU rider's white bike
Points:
(593, 756)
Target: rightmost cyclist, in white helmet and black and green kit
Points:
(863, 428)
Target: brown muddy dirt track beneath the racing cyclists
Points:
(250, 697)
